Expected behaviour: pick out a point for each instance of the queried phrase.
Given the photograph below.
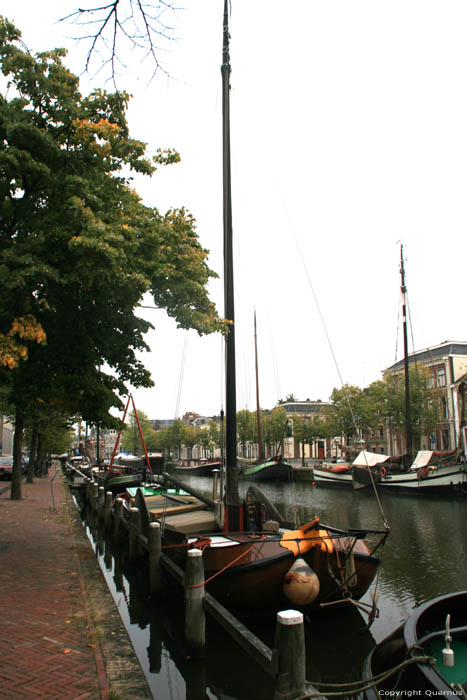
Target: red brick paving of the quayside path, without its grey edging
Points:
(46, 645)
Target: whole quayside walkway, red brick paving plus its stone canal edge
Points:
(52, 644)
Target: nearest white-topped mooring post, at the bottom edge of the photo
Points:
(290, 648)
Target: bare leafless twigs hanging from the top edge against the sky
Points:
(114, 26)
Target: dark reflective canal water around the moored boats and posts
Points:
(424, 556)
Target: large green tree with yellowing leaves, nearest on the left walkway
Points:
(78, 249)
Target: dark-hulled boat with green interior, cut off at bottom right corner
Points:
(431, 650)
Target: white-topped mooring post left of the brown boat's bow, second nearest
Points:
(195, 618)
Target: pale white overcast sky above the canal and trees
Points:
(349, 136)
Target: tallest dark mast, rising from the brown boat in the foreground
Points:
(232, 498)
